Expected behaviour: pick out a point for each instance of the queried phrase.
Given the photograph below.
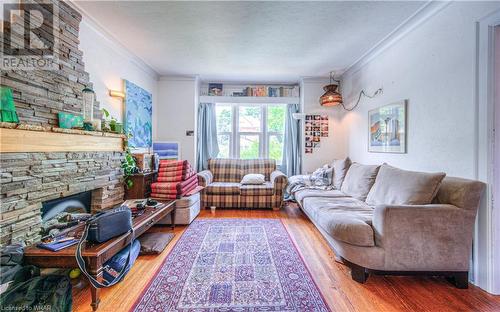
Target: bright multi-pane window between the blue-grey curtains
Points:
(251, 130)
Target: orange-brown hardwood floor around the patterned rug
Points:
(341, 293)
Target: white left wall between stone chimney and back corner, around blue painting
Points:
(108, 63)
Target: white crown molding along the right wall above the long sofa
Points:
(411, 23)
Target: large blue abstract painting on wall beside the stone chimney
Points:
(138, 115)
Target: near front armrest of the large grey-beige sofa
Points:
(423, 237)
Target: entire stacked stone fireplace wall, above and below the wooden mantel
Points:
(28, 179)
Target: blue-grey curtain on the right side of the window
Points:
(291, 163)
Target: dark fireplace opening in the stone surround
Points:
(63, 213)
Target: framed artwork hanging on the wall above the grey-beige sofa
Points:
(387, 128)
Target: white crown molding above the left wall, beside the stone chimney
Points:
(120, 48)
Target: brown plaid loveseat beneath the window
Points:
(223, 188)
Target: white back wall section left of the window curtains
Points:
(177, 113)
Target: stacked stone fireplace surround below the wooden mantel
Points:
(28, 179)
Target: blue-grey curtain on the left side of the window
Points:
(207, 135)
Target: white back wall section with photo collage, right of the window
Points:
(331, 147)
